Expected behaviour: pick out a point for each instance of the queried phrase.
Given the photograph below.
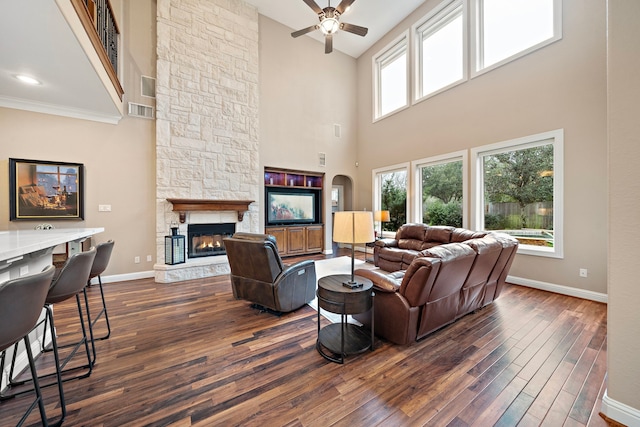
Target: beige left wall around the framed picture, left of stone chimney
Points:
(119, 159)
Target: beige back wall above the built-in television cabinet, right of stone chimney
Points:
(303, 94)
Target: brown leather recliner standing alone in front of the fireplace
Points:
(259, 276)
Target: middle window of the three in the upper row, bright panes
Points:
(440, 50)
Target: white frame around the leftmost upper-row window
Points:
(393, 50)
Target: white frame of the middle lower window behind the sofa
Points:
(416, 166)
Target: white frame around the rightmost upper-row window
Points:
(476, 36)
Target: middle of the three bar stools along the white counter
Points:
(71, 281)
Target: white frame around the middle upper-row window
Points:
(434, 20)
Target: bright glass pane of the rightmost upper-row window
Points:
(507, 29)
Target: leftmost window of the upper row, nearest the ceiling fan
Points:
(390, 78)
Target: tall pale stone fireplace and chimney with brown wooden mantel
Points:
(207, 144)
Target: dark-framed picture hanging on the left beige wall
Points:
(45, 190)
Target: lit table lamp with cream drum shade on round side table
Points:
(353, 227)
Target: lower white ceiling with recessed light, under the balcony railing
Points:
(39, 42)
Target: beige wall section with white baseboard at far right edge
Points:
(623, 389)
